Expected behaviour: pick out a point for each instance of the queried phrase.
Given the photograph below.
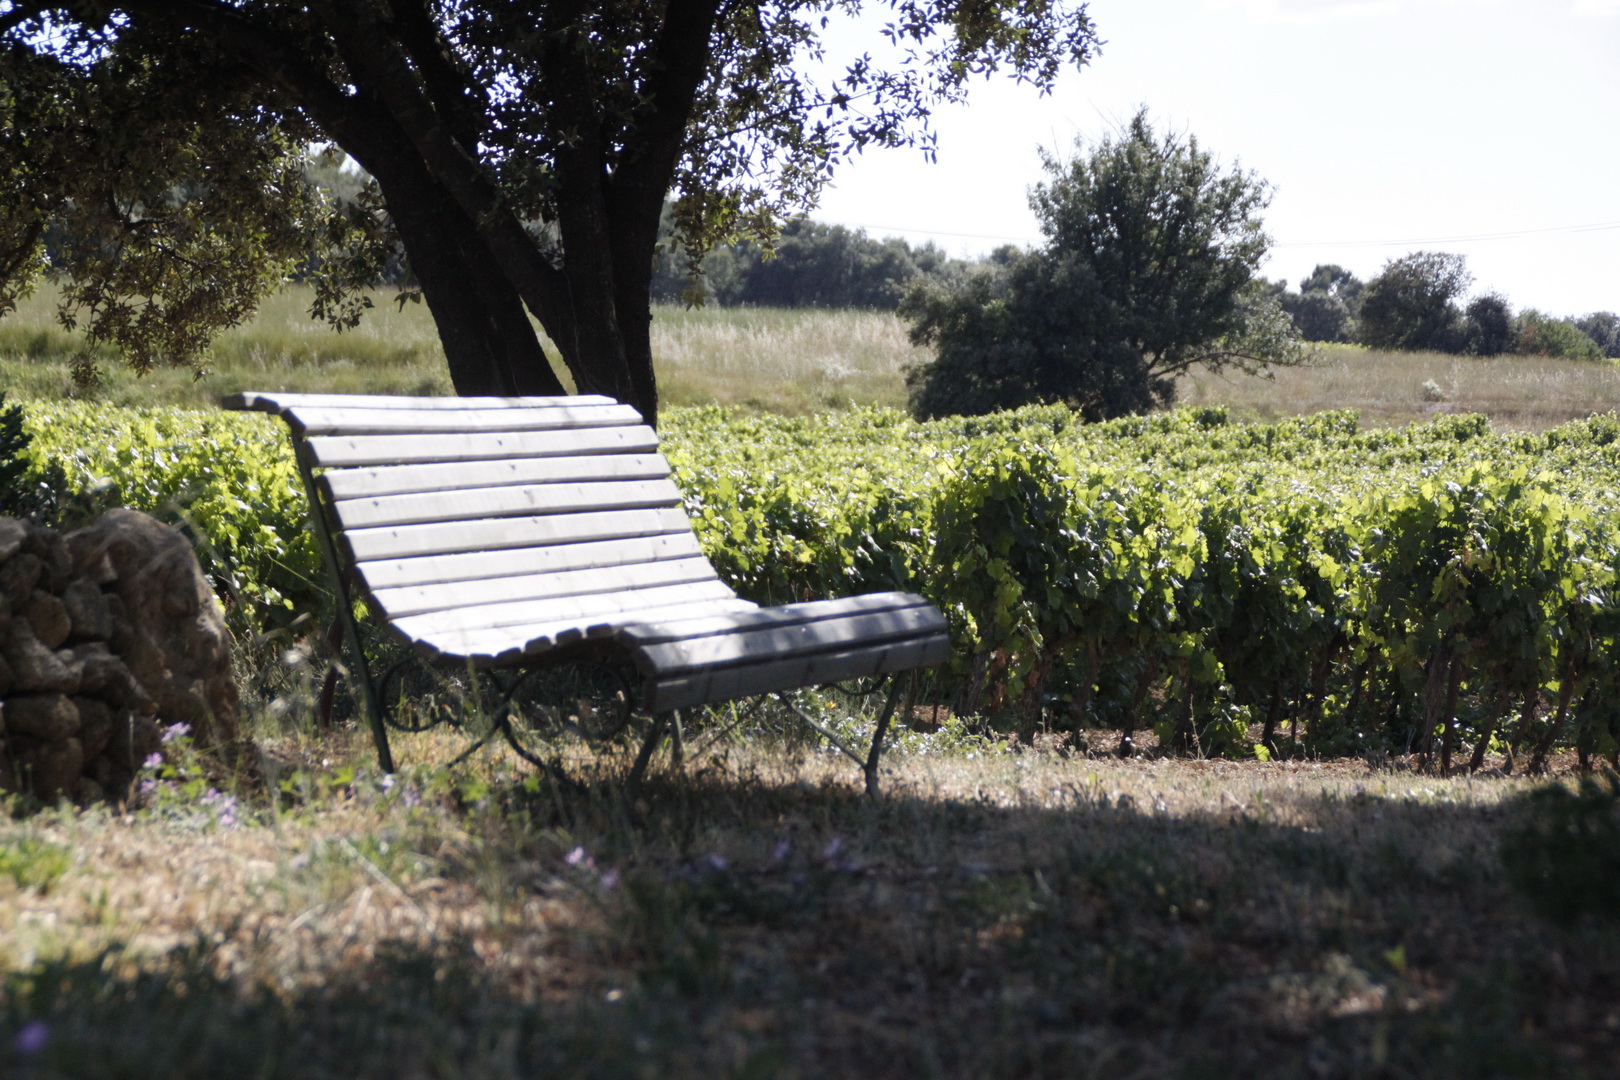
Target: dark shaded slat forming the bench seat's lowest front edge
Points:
(793, 673)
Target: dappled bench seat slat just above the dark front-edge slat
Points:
(829, 636)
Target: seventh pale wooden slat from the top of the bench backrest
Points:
(497, 564)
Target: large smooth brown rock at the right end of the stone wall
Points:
(177, 627)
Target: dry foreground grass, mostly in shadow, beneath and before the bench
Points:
(994, 916)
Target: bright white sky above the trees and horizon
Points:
(1483, 127)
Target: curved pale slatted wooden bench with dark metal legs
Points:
(505, 534)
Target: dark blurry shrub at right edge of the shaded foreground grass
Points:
(1562, 851)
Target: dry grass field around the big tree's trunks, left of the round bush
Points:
(790, 362)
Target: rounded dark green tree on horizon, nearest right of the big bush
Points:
(1412, 304)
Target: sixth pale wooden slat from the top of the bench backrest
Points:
(406, 542)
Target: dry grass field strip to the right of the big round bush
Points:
(1392, 389)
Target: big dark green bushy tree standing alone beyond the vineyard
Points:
(1149, 270)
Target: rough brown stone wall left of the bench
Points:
(108, 636)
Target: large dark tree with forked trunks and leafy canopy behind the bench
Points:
(522, 155)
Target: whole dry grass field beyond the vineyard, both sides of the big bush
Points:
(791, 362)
